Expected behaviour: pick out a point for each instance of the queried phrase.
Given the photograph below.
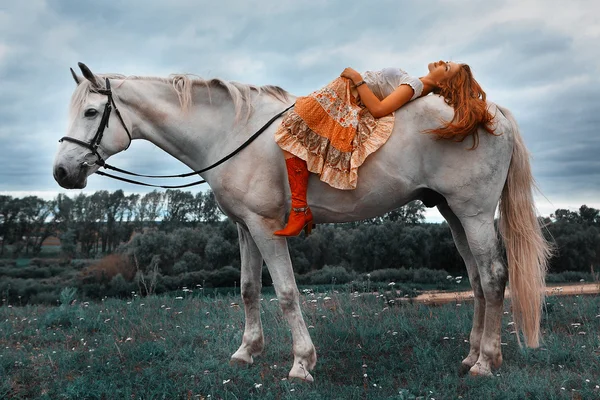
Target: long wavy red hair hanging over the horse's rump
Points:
(463, 93)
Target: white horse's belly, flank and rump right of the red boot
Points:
(414, 165)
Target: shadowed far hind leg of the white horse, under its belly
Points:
(460, 239)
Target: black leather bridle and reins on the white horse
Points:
(95, 143)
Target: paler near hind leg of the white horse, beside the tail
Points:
(493, 274)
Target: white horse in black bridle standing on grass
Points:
(198, 121)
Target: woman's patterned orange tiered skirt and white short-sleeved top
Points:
(334, 132)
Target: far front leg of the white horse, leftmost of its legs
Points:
(251, 269)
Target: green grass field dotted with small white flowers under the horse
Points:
(368, 348)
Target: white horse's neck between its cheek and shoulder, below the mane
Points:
(190, 135)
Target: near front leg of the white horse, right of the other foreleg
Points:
(275, 251)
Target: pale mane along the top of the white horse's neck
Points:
(183, 84)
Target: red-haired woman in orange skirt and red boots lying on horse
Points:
(333, 130)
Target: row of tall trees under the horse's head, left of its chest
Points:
(88, 225)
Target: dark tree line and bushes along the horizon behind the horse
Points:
(90, 226)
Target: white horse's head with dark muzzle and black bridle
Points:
(96, 131)
